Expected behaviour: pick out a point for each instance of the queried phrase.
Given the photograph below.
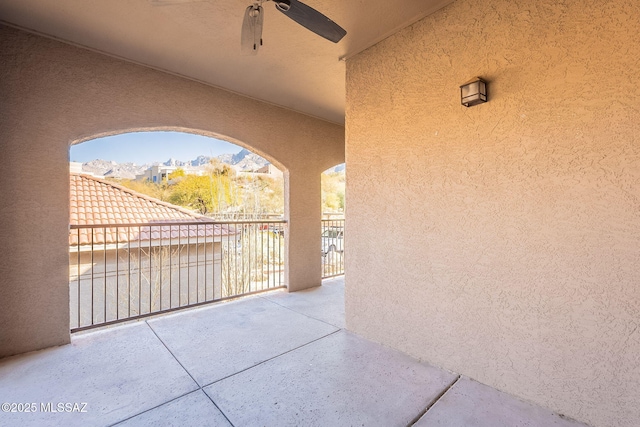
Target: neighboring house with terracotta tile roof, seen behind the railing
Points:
(152, 261)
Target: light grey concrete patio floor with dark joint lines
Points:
(277, 359)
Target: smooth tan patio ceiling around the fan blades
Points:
(201, 40)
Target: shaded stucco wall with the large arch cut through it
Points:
(53, 95)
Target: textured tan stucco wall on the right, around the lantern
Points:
(503, 241)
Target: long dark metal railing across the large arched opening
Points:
(127, 271)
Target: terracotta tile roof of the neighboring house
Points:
(95, 201)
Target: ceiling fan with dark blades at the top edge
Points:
(308, 17)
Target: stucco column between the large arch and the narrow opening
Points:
(302, 211)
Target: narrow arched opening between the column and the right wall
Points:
(333, 182)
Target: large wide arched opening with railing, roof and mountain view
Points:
(161, 221)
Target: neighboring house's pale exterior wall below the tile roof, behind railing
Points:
(138, 279)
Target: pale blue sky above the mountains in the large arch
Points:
(148, 147)
